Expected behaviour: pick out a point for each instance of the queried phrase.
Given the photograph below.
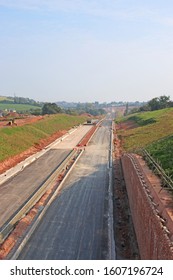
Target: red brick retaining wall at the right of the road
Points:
(152, 233)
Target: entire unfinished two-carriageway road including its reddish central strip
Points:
(75, 219)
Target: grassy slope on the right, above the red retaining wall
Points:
(153, 132)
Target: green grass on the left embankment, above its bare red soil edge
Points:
(16, 139)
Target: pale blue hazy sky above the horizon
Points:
(86, 50)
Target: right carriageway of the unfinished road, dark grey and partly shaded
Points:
(74, 226)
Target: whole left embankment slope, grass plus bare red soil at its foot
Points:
(16, 143)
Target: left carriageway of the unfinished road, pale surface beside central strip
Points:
(15, 191)
